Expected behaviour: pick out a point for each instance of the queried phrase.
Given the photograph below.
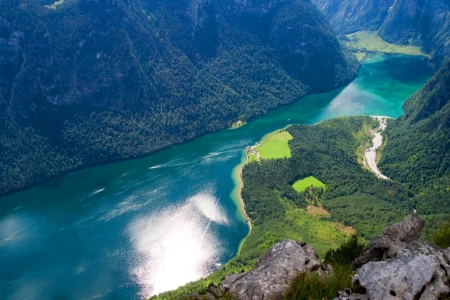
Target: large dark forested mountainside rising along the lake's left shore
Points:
(89, 82)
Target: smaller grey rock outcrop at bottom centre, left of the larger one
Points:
(273, 272)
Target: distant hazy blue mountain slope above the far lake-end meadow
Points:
(407, 22)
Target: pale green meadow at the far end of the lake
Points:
(371, 41)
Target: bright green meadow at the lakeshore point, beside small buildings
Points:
(275, 145)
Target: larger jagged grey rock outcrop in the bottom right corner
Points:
(397, 266)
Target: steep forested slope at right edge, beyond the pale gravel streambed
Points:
(417, 151)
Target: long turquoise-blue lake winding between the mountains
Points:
(132, 229)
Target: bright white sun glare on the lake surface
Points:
(178, 238)
